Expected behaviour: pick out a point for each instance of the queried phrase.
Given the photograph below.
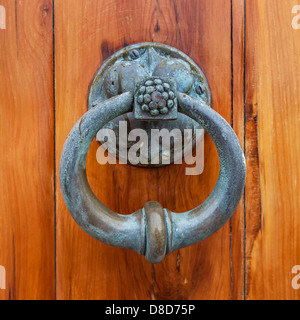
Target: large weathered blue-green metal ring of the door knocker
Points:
(151, 231)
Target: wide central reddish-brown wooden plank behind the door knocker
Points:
(86, 33)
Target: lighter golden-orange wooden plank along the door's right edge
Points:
(272, 149)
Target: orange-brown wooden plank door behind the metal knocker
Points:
(50, 51)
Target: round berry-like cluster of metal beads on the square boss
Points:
(155, 96)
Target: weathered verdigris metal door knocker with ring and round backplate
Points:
(154, 86)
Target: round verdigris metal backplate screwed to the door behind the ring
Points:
(125, 69)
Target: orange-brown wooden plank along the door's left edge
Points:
(27, 151)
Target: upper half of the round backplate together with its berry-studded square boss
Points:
(154, 74)
